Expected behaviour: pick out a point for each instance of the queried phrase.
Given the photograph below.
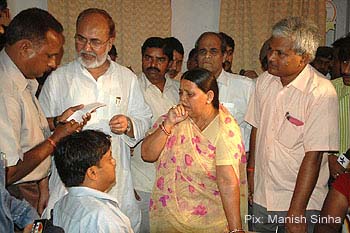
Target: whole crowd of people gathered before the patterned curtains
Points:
(206, 150)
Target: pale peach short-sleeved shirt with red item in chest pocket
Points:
(281, 144)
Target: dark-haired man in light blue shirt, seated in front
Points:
(85, 165)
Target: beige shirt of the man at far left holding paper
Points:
(22, 123)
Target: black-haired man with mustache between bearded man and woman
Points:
(160, 93)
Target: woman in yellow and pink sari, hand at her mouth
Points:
(197, 148)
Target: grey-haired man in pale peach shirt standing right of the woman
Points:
(294, 114)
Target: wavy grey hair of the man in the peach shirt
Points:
(304, 35)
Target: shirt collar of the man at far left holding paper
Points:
(16, 75)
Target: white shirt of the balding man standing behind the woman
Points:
(234, 93)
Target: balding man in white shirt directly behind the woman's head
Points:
(234, 90)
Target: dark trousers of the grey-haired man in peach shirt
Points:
(268, 221)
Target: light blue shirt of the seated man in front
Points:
(88, 210)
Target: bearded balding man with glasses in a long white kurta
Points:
(93, 77)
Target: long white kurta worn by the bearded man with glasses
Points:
(72, 85)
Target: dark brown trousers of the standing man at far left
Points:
(28, 191)
